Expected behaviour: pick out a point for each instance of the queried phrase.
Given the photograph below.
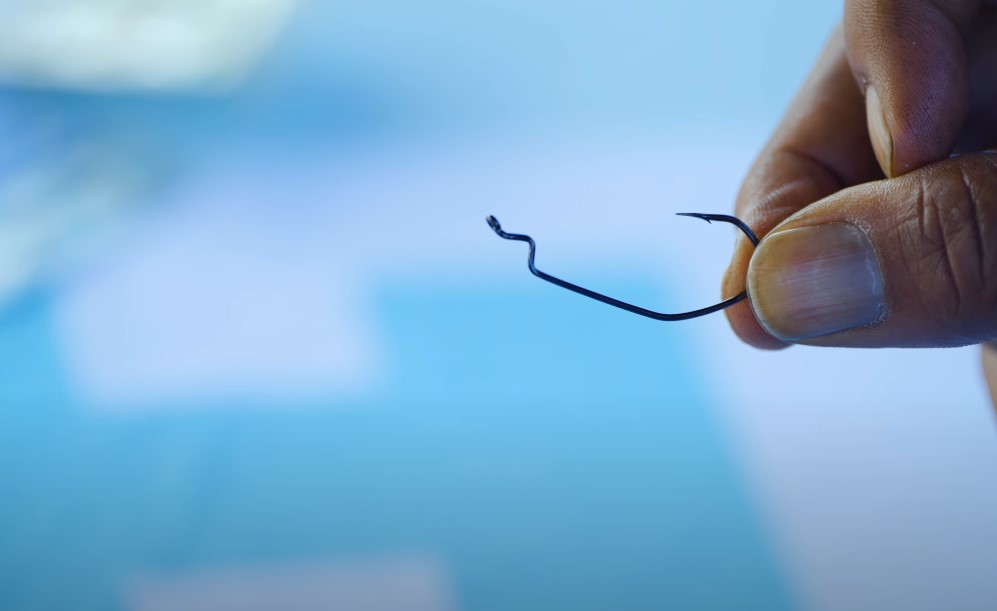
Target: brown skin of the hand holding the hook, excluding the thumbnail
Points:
(925, 70)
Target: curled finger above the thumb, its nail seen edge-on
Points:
(910, 59)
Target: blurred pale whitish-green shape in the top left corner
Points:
(135, 45)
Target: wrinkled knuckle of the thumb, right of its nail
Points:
(949, 246)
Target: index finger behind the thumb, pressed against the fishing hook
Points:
(821, 147)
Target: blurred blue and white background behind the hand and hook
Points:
(259, 350)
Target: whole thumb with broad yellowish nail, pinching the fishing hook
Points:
(909, 261)
